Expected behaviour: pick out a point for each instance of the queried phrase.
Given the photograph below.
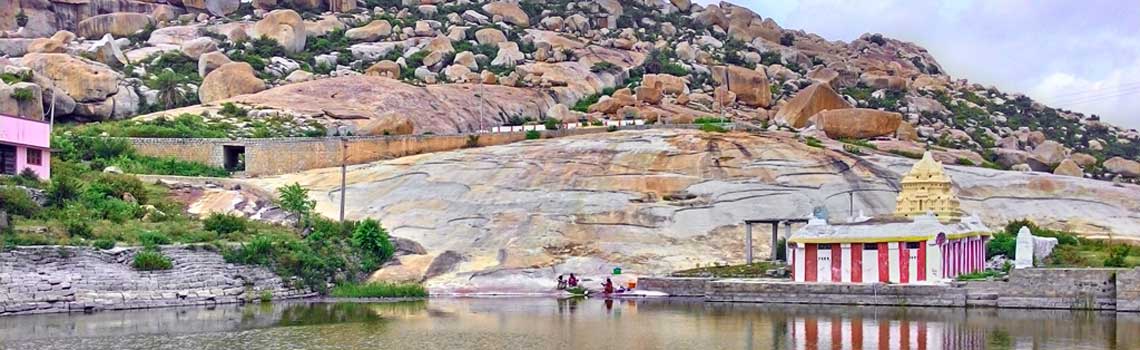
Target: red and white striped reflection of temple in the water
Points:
(812, 333)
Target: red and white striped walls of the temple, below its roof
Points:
(886, 262)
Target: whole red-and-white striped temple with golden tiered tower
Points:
(927, 240)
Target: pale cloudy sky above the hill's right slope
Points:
(1078, 55)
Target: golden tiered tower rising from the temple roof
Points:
(927, 189)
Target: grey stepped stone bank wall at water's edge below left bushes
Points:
(62, 280)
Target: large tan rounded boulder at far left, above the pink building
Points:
(83, 80)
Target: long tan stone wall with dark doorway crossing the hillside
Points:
(287, 156)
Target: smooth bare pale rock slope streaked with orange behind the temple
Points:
(509, 219)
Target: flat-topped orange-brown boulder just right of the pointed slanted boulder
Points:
(858, 123)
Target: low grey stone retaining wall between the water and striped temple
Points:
(1028, 289)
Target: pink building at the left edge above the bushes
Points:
(26, 144)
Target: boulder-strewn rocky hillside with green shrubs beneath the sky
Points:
(572, 61)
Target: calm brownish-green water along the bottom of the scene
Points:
(571, 324)
